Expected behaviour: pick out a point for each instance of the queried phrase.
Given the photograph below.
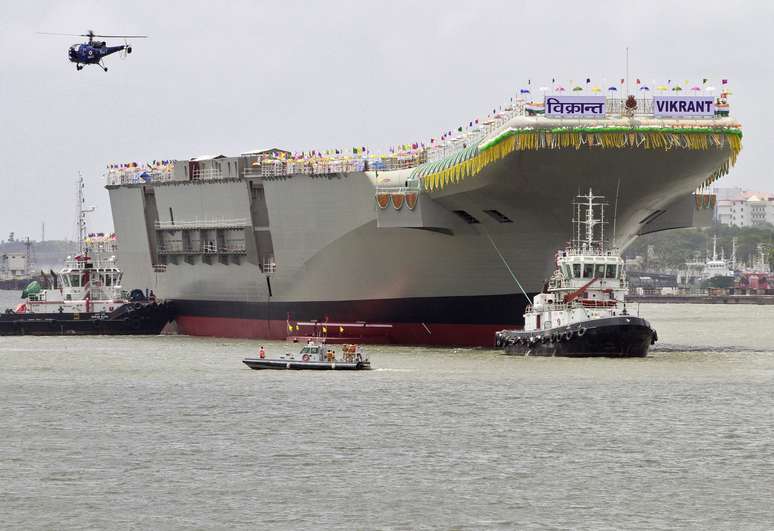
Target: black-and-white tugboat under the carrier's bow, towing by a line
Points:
(581, 312)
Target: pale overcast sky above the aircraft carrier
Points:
(226, 77)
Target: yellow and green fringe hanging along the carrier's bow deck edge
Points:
(469, 162)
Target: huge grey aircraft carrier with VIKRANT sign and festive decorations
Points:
(433, 243)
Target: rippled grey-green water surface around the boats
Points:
(176, 433)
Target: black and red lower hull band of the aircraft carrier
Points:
(440, 321)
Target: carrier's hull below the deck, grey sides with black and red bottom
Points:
(422, 277)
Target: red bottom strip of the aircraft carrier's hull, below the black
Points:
(435, 334)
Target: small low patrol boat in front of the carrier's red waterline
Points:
(314, 356)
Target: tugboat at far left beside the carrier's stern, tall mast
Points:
(86, 297)
